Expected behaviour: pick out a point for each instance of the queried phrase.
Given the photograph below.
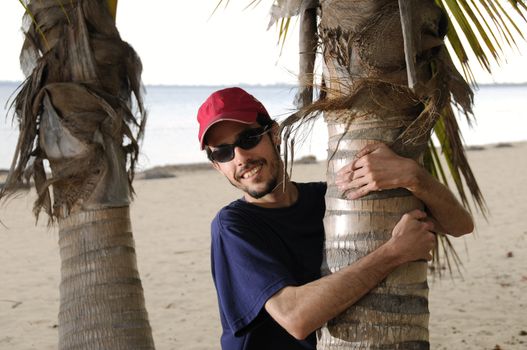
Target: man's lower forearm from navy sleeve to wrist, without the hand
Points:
(301, 310)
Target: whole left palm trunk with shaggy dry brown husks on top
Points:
(75, 113)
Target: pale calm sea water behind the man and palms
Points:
(171, 132)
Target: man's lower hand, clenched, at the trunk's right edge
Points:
(413, 238)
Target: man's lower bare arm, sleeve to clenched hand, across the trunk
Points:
(301, 310)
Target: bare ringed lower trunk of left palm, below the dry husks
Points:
(101, 297)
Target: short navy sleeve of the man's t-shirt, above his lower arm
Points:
(244, 268)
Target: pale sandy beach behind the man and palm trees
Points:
(484, 308)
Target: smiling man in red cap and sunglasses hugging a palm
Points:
(267, 246)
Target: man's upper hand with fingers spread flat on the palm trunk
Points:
(377, 168)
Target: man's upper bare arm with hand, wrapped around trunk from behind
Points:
(377, 168)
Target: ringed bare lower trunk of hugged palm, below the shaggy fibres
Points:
(394, 315)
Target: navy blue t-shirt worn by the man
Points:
(255, 253)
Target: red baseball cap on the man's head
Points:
(233, 104)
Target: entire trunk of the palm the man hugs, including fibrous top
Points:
(367, 100)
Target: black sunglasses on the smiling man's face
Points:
(247, 139)
